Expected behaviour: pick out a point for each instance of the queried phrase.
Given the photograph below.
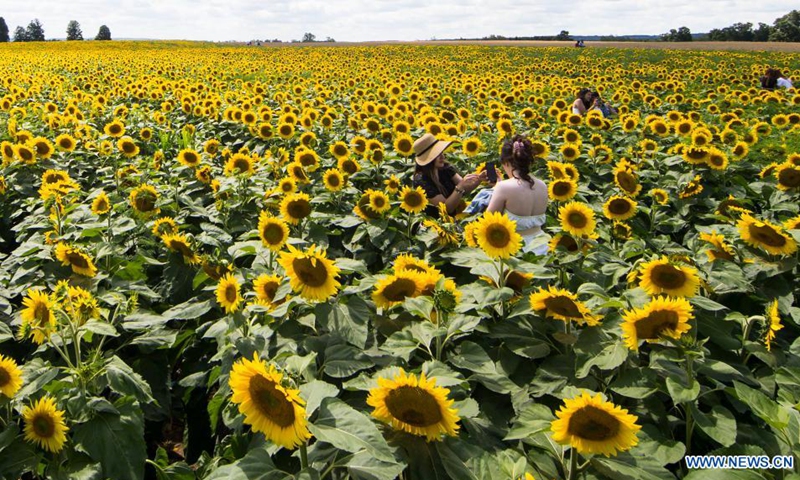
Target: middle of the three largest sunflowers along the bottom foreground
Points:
(414, 405)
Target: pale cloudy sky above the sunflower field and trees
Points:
(364, 20)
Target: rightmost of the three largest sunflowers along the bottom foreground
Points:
(591, 425)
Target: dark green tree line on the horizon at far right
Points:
(784, 29)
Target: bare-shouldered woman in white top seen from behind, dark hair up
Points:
(522, 197)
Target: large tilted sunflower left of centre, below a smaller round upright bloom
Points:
(311, 273)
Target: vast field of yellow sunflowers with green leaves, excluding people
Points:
(214, 264)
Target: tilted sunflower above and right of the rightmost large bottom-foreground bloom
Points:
(660, 317)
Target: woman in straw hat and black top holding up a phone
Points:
(441, 182)
